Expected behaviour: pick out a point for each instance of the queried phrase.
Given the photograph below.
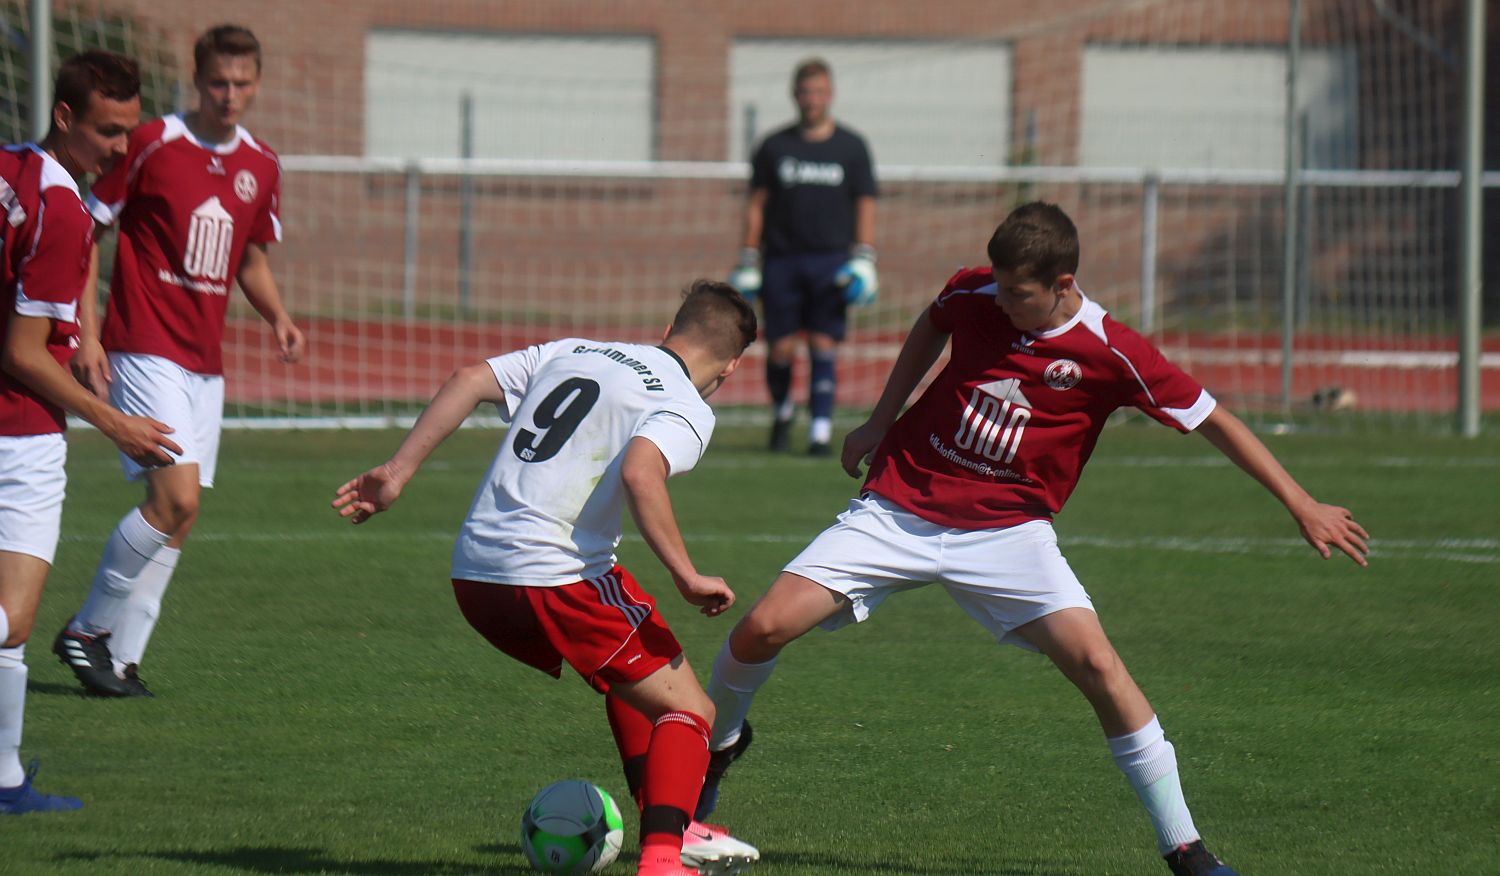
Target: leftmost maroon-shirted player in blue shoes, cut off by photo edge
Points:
(46, 254)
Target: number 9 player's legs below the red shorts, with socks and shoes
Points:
(676, 715)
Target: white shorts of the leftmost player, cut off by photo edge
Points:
(34, 476)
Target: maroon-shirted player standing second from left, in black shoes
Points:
(197, 202)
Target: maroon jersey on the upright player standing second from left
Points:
(185, 212)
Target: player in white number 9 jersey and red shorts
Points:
(596, 427)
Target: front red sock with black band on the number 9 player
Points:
(674, 778)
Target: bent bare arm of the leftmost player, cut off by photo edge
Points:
(28, 359)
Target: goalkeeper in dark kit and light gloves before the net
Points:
(809, 248)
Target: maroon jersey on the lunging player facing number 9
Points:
(1004, 431)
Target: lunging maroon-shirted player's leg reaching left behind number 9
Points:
(793, 607)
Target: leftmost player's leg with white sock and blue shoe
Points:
(22, 581)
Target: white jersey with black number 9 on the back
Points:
(550, 511)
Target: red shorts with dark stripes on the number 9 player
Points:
(605, 628)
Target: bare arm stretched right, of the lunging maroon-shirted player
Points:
(1324, 526)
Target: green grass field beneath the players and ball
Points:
(323, 707)
